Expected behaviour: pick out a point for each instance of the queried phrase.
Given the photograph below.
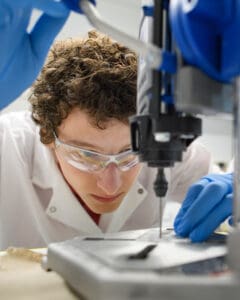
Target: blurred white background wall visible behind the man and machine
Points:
(125, 15)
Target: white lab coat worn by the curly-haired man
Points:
(37, 206)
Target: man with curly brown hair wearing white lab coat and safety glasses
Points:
(82, 177)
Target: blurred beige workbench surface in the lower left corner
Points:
(24, 279)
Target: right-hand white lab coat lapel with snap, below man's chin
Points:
(114, 222)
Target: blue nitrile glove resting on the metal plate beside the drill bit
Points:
(207, 204)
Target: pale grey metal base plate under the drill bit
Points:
(139, 265)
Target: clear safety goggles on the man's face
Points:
(91, 161)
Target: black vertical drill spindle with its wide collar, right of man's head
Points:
(159, 132)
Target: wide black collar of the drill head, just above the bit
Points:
(179, 132)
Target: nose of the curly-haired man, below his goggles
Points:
(110, 179)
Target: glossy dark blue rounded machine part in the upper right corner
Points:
(207, 33)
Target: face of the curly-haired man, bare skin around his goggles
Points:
(103, 190)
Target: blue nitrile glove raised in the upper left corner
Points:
(22, 54)
